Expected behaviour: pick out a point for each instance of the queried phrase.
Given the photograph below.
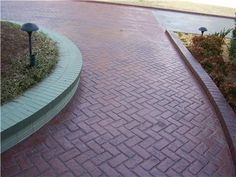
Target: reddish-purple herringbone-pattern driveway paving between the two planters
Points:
(138, 110)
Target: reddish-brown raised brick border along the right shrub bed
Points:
(225, 113)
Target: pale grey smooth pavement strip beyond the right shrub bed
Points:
(184, 22)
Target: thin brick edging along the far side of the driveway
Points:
(155, 8)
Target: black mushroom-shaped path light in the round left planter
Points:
(30, 28)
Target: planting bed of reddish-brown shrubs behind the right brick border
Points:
(217, 56)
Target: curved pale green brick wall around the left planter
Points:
(38, 105)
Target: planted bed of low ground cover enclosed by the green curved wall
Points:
(16, 76)
